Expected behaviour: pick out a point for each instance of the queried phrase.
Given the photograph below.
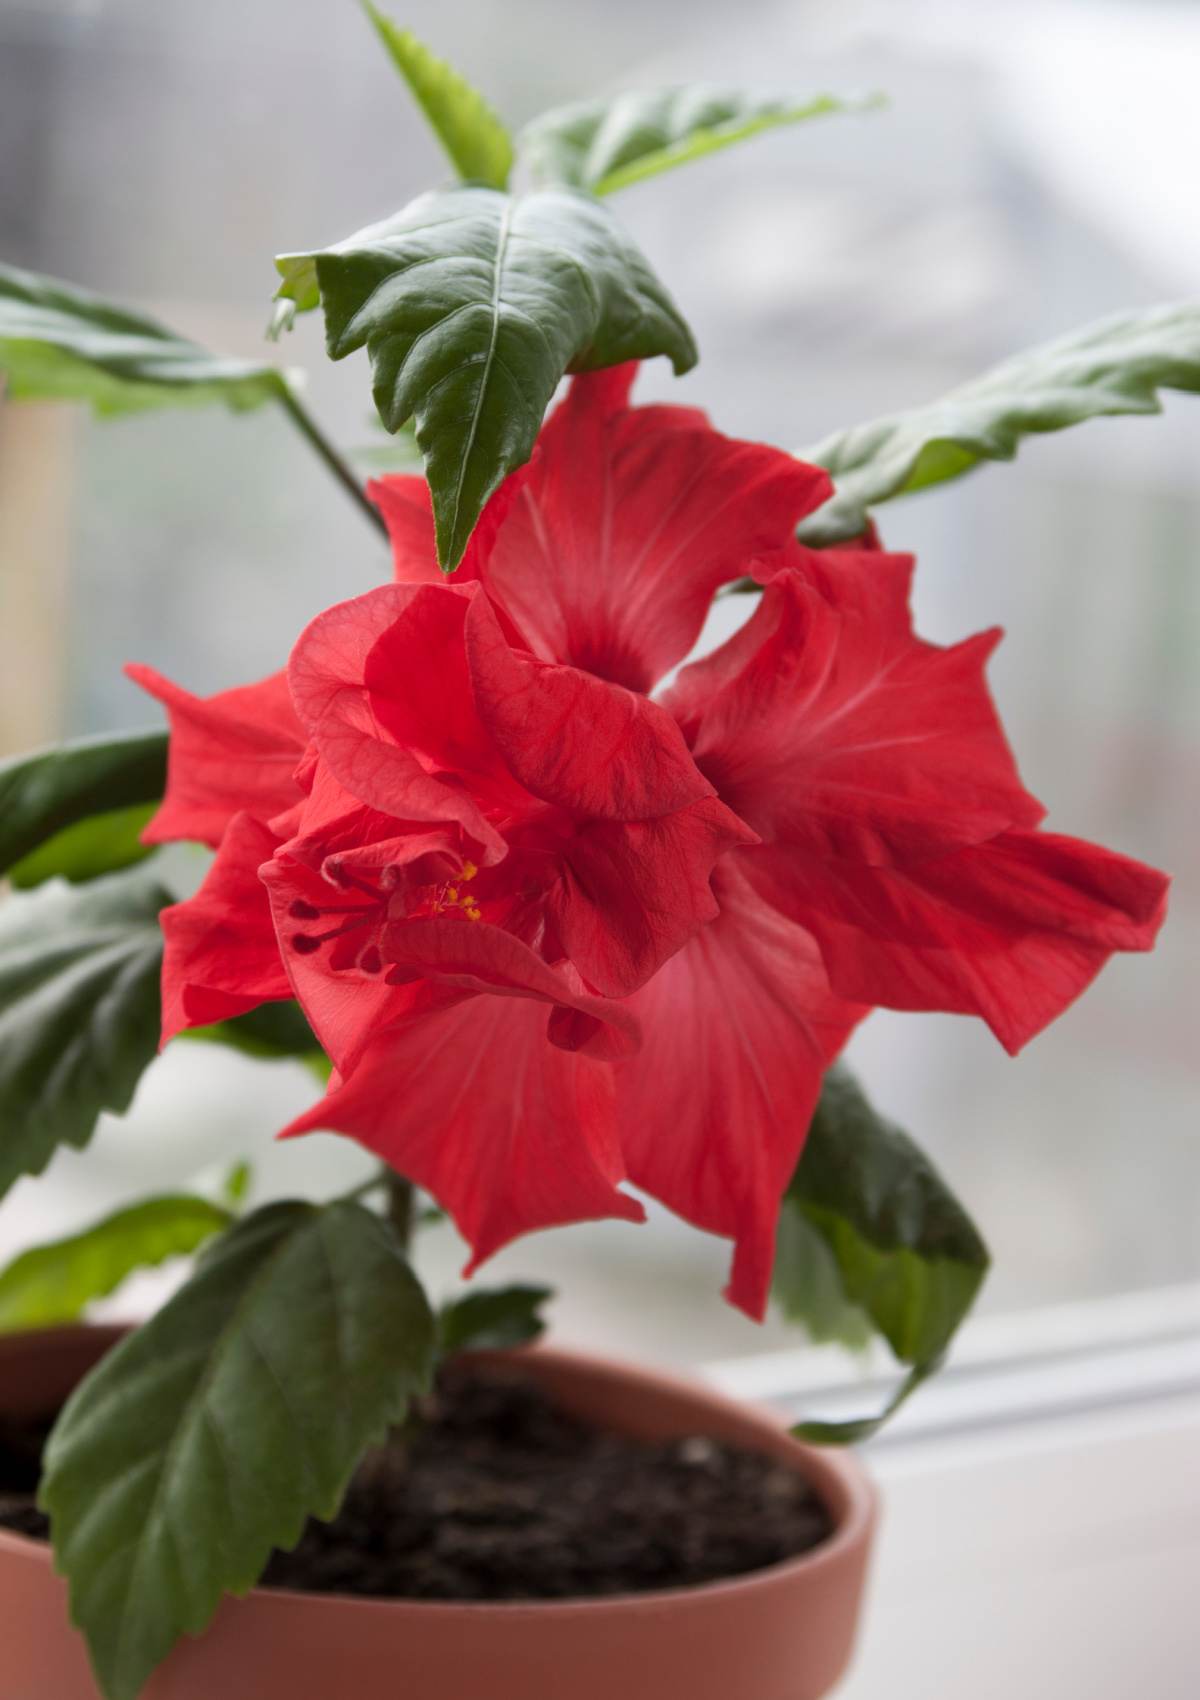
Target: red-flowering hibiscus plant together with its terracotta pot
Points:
(541, 927)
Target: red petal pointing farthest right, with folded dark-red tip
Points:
(1012, 931)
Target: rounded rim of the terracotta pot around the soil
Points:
(842, 1482)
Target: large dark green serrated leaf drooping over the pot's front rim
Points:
(212, 1436)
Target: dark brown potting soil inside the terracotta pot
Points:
(499, 1495)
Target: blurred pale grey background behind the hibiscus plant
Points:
(1036, 169)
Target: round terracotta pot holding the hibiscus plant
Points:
(779, 1635)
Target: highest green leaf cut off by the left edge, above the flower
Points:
(60, 343)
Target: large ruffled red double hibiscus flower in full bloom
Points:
(555, 932)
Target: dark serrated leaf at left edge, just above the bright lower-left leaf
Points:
(79, 1012)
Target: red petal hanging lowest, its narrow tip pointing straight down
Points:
(739, 1031)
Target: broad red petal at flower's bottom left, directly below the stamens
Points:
(504, 1130)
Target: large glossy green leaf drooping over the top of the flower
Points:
(473, 307)
